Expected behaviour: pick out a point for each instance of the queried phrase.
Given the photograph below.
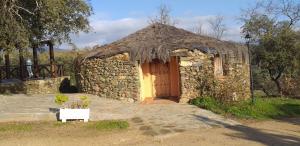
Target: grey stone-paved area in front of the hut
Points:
(152, 119)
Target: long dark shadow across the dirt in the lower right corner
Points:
(252, 134)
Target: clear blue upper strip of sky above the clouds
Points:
(116, 9)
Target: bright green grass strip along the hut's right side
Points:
(263, 108)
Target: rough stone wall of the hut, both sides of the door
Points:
(115, 77)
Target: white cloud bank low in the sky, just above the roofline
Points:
(106, 31)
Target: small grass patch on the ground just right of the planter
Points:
(108, 125)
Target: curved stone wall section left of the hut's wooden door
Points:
(114, 77)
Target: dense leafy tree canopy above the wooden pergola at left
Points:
(25, 23)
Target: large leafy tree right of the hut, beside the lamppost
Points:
(276, 48)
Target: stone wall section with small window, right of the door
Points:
(198, 79)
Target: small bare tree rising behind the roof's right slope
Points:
(218, 26)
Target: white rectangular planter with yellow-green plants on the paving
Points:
(75, 110)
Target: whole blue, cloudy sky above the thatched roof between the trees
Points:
(114, 19)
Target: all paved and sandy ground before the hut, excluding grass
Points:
(154, 124)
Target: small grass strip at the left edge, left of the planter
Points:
(16, 127)
